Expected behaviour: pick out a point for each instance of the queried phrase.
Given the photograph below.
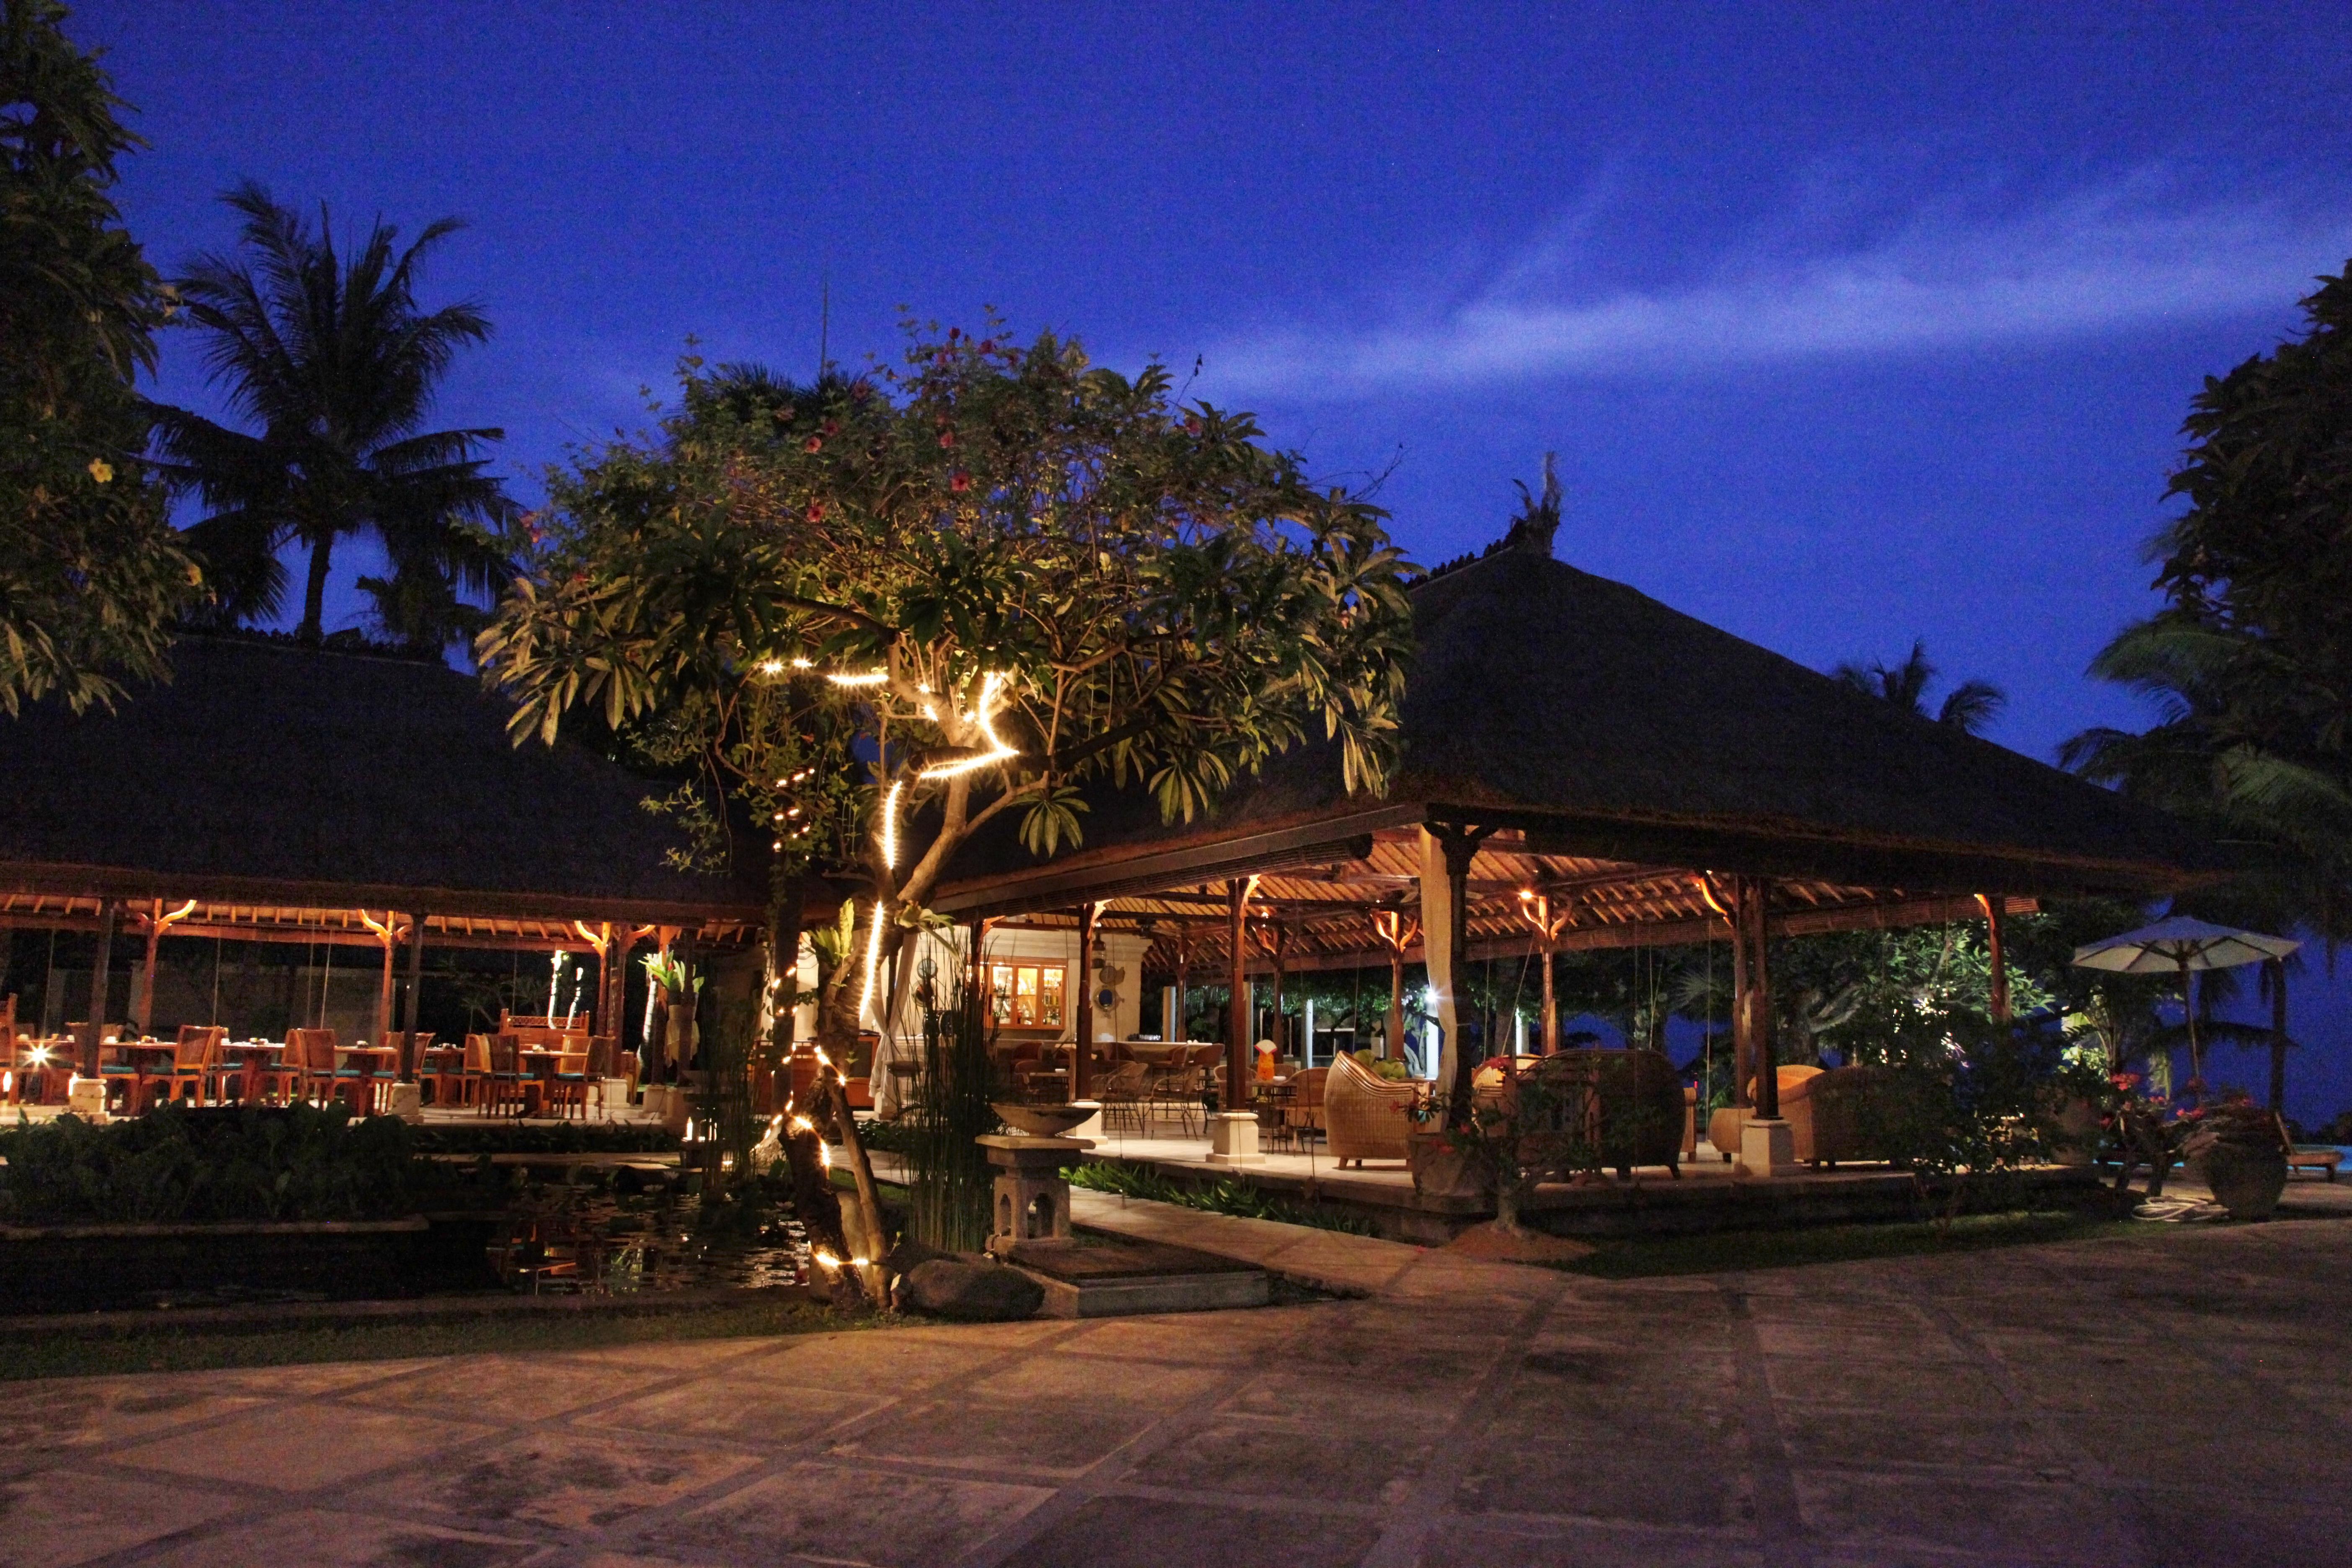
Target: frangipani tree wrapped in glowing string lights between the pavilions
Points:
(1001, 572)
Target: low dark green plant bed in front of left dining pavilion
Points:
(211, 1165)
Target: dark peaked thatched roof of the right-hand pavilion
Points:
(1608, 725)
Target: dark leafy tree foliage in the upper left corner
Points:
(91, 572)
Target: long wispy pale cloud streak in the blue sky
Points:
(1939, 279)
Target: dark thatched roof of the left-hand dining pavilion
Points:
(281, 775)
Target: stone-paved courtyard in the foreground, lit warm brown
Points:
(2177, 1398)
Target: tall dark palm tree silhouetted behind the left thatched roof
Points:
(338, 366)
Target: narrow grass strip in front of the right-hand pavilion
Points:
(1789, 1249)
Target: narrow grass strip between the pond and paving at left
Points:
(76, 1353)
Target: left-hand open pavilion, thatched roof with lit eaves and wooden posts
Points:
(338, 798)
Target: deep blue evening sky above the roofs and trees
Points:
(1850, 326)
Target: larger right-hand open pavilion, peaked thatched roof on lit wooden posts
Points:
(1586, 768)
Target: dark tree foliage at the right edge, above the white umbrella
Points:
(2252, 659)
